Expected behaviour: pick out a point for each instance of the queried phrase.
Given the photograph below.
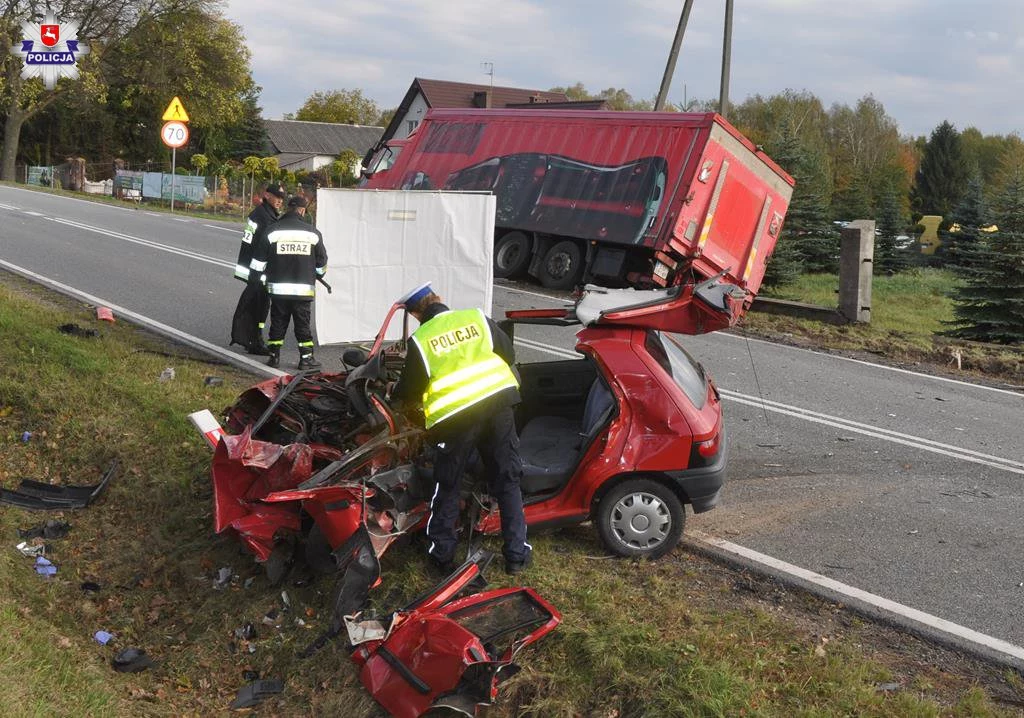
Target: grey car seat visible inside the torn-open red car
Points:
(550, 446)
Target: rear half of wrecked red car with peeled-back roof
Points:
(626, 436)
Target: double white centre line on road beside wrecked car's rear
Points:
(838, 423)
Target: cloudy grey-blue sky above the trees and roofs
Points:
(926, 61)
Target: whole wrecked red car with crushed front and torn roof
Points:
(625, 437)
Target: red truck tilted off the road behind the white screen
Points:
(622, 199)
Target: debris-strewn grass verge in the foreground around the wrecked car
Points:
(678, 638)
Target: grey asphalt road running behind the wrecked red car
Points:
(904, 485)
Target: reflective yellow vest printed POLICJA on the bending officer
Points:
(462, 367)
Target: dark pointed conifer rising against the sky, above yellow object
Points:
(941, 180)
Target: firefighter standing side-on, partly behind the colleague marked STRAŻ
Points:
(250, 315)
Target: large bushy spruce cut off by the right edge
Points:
(990, 305)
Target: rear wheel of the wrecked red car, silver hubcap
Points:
(641, 519)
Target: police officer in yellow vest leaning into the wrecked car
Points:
(460, 365)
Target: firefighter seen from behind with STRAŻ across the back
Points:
(291, 255)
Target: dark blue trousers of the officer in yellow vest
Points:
(493, 435)
